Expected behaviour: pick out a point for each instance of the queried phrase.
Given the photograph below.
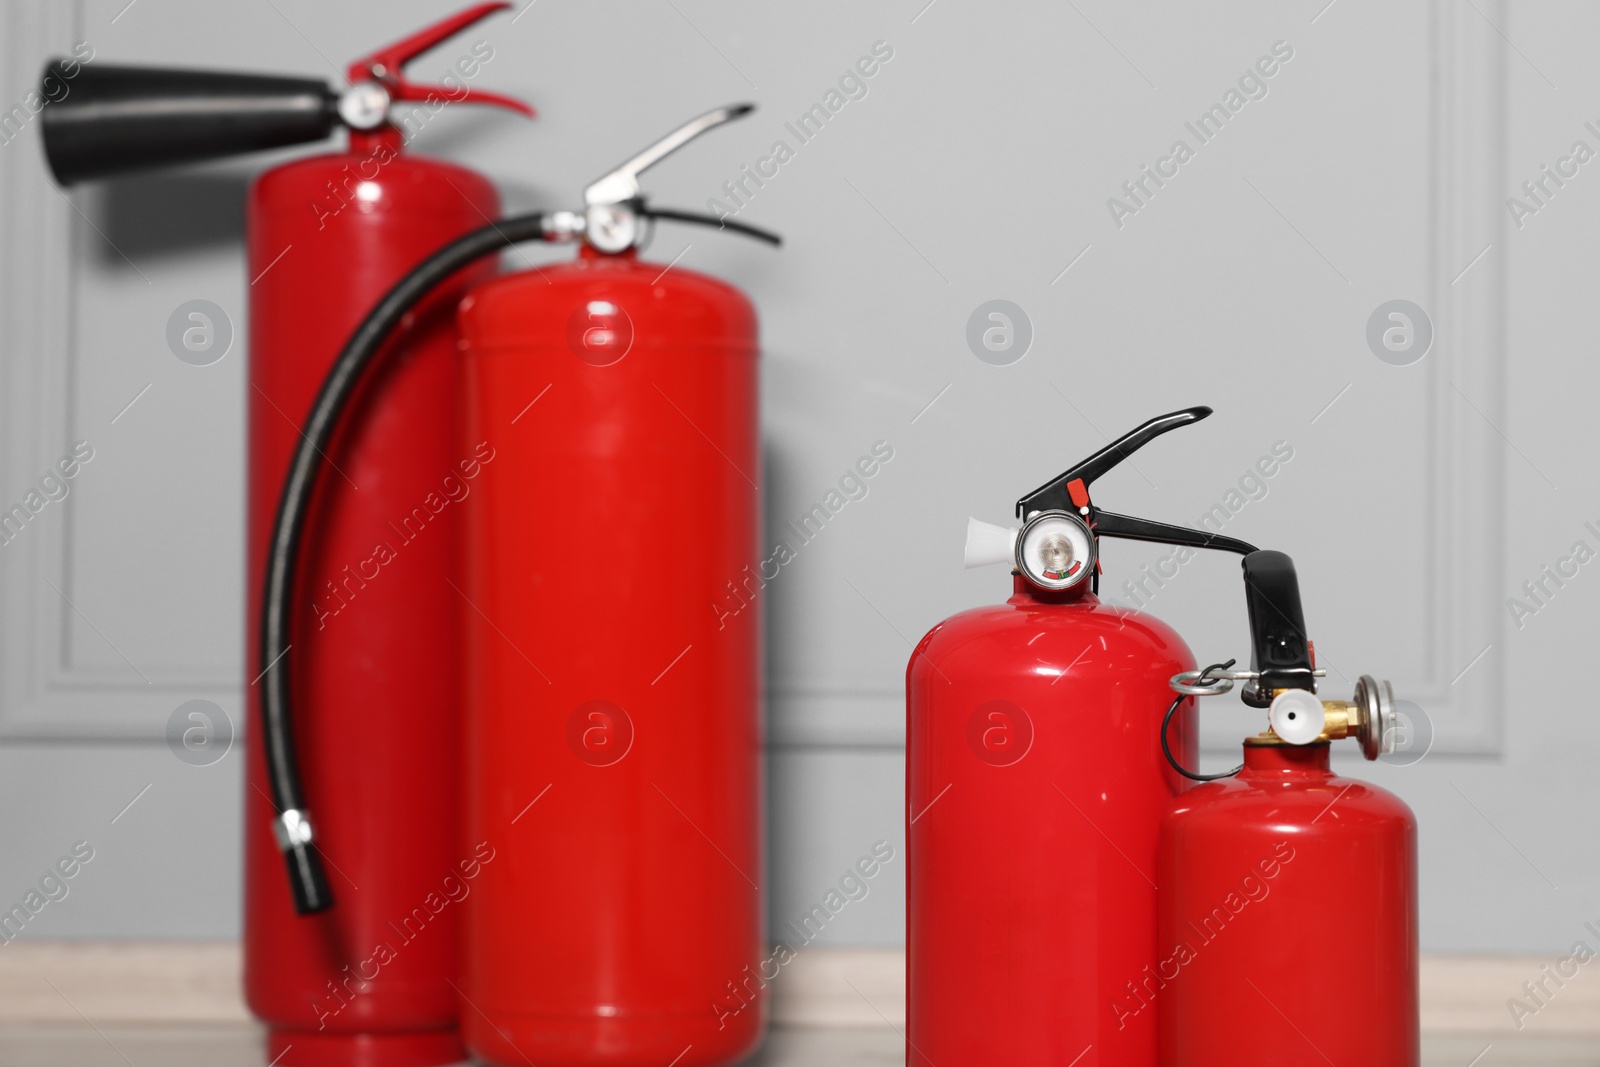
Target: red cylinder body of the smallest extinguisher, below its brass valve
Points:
(1287, 921)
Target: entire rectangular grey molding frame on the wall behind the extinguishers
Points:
(47, 697)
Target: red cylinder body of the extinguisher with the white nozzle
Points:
(1034, 789)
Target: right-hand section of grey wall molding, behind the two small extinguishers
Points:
(1463, 674)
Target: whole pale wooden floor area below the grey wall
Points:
(180, 1004)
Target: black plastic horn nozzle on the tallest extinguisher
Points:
(118, 121)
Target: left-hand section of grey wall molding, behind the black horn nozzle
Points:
(47, 693)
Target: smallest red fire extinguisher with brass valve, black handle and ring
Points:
(1287, 892)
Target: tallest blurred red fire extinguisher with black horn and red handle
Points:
(375, 647)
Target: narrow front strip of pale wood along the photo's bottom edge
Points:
(239, 1047)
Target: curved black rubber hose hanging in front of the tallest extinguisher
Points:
(308, 879)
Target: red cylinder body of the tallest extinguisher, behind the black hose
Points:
(375, 649)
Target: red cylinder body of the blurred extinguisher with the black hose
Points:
(614, 722)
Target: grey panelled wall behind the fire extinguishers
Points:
(977, 167)
